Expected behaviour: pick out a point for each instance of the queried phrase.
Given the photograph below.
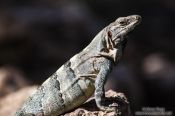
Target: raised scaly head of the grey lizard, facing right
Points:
(118, 30)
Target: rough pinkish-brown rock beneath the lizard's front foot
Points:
(90, 109)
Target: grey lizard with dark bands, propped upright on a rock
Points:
(83, 75)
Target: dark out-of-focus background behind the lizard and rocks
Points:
(37, 37)
